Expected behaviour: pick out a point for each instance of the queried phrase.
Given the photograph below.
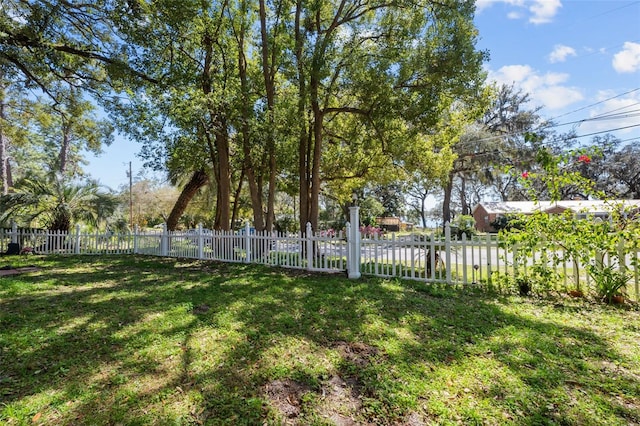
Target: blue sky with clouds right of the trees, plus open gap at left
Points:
(578, 59)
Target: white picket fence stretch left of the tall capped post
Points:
(319, 251)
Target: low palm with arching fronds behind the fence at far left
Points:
(57, 203)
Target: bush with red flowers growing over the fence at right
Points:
(566, 239)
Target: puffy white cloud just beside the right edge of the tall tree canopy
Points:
(547, 90)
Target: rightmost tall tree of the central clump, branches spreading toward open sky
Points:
(377, 61)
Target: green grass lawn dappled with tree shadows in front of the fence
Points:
(140, 340)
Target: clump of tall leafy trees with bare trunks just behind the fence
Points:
(315, 95)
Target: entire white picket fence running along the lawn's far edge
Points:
(481, 260)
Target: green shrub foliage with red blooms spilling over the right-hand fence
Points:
(564, 237)
